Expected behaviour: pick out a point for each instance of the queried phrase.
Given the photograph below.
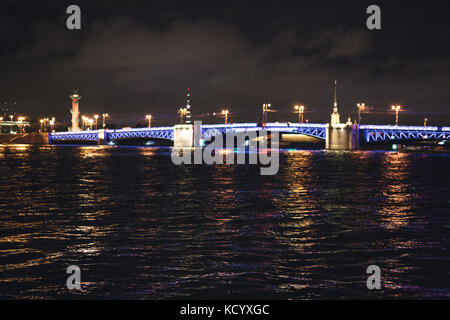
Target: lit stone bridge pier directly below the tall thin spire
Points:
(341, 137)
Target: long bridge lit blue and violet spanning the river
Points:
(352, 135)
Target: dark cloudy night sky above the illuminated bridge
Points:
(136, 57)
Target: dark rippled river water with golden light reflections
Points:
(140, 227)
